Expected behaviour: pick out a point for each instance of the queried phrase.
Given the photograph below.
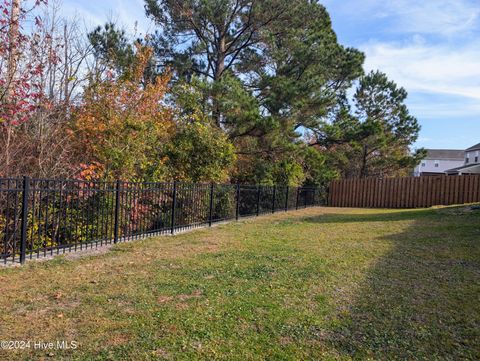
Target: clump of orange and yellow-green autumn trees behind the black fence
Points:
(126, 129)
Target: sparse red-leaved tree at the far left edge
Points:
(20, 75)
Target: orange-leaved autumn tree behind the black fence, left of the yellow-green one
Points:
(121, 123)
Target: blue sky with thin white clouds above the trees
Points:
(430, 47)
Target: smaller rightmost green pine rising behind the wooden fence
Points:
(374, 138)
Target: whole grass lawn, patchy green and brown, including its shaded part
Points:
(314, 284)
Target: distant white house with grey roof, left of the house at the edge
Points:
(438, 161)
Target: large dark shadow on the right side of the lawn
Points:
(420, 300)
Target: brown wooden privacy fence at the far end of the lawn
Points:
(409, 192)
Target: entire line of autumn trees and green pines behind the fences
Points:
(244, 91)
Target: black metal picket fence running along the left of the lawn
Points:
(40, 217)
